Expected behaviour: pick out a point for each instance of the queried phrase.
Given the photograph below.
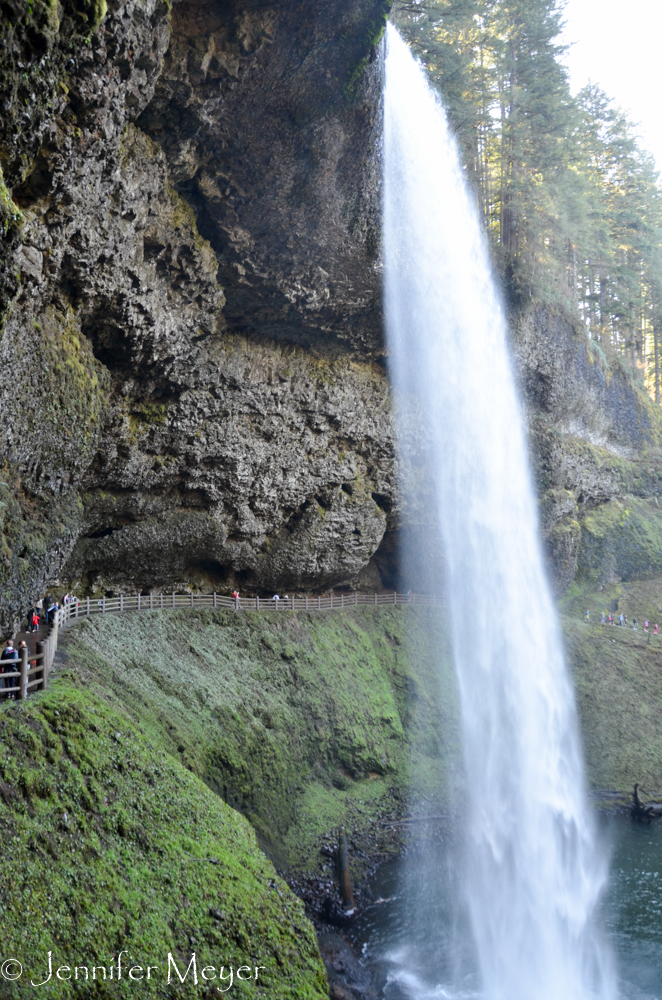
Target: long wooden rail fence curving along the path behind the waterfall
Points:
(31, 671)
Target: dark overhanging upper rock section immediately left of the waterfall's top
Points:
(267, 116)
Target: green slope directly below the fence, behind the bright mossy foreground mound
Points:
(303, 722)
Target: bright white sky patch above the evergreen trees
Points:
(617, 46)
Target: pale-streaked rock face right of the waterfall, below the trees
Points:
(595, 434)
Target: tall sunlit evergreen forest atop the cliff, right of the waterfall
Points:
(570, 200)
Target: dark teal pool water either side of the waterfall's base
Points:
(442, 965)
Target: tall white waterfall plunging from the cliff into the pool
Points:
(530, 870)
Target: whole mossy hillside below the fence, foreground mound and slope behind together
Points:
(112, 784)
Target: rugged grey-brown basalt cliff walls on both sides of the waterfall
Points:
(193, 379)
